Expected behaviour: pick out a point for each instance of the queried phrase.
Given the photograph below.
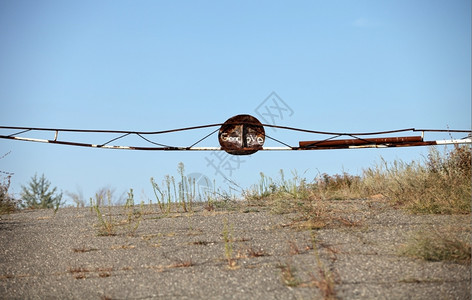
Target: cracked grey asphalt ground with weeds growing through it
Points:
(235, 252)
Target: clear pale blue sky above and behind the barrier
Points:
(152, 65)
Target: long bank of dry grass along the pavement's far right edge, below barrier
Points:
(438, 185)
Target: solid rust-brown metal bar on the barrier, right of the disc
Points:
(346, 143)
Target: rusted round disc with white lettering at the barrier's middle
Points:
(241, 135)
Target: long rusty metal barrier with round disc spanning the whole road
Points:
(244, 135)
